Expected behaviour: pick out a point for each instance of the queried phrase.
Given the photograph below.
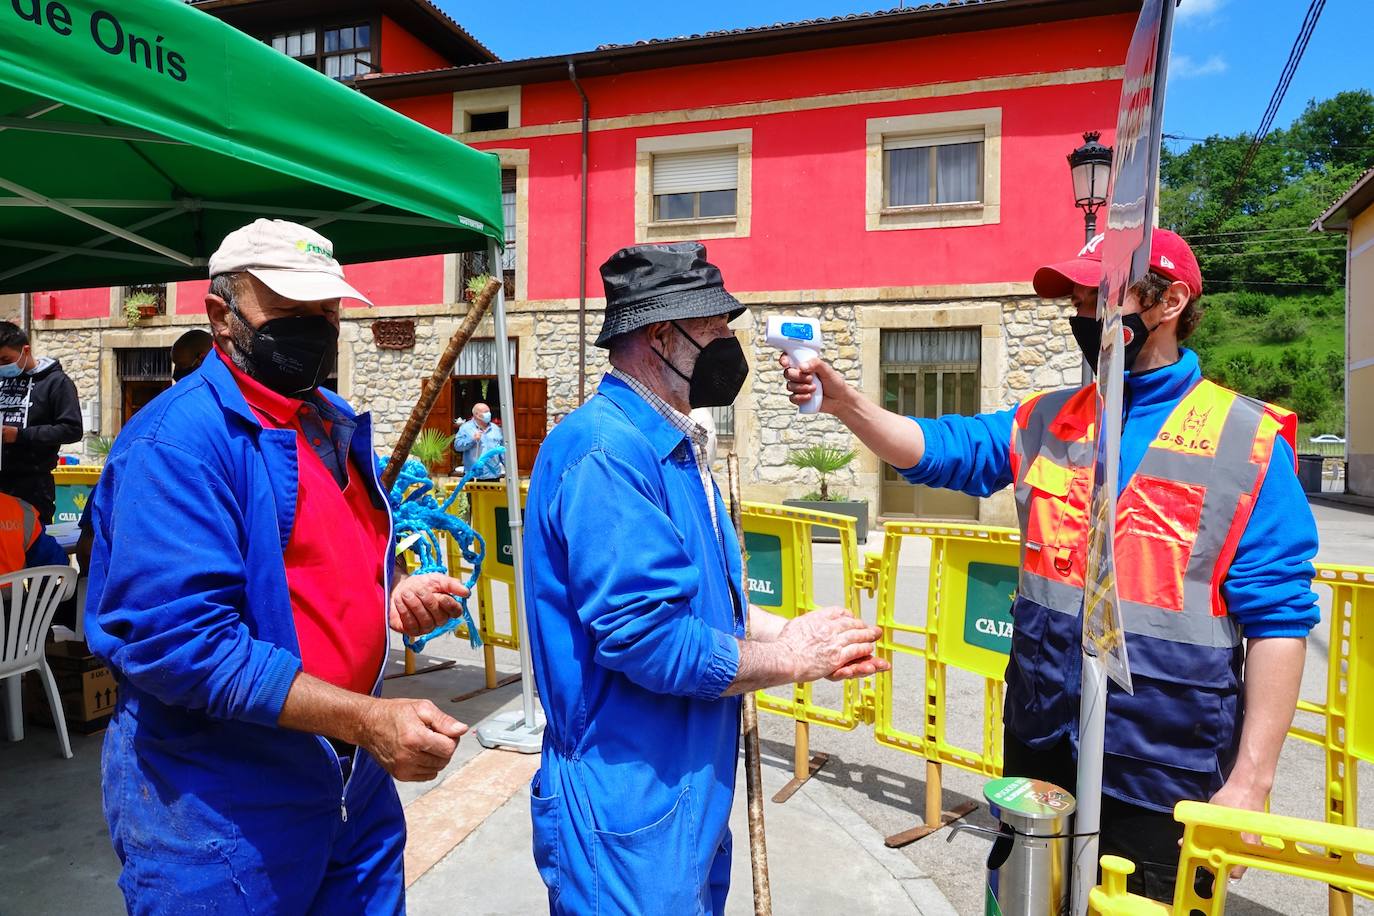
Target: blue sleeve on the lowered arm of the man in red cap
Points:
(1269, 587)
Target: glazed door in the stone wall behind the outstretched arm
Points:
(930, 374)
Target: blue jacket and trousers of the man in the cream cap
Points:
(214, 808)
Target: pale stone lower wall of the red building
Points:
(1037, 340)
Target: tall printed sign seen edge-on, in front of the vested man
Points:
(1126, 259)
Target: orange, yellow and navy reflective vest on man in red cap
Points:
(1180, 521)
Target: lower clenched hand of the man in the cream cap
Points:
(412, 740)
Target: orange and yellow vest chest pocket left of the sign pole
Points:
(1057, 520)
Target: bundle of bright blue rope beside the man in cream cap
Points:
(416, 512)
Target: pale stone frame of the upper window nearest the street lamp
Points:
(943, 127)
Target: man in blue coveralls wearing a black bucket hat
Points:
(635, 612)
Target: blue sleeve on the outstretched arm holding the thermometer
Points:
(969, 454)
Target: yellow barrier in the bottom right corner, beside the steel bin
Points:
(1213, 843)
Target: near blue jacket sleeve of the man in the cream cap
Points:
(164, 595)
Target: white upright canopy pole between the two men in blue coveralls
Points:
(515, 731)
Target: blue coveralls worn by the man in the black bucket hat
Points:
(634, 623)
